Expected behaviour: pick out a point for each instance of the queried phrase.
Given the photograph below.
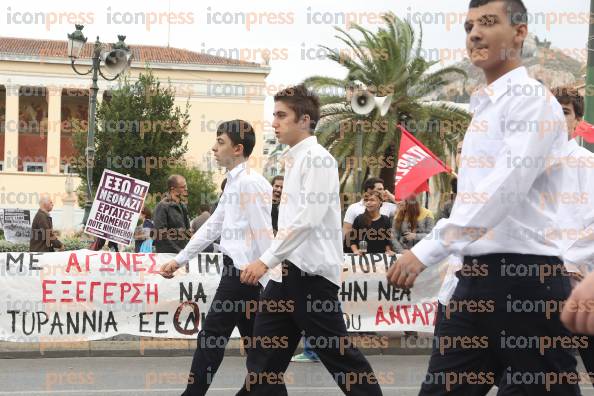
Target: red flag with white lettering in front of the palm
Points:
(416, 164)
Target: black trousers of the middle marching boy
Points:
(308, 304)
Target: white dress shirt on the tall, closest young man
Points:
(517, 126)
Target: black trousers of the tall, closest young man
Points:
(497, 330)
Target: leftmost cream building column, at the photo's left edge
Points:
(11, 137)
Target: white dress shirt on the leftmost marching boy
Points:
(242, 220)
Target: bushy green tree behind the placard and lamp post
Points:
(142, 133)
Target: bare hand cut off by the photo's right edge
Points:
(578, 311)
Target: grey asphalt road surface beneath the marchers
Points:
(166, 376)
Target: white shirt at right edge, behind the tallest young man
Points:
(576, 205)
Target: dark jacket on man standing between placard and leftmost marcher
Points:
(172, 226)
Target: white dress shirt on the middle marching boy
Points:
(309, 225)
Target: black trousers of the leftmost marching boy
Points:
(232, 305)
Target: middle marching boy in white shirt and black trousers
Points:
(308, 247)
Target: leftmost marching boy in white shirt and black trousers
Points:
(242, 221)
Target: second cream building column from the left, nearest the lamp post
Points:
(54, 130)
